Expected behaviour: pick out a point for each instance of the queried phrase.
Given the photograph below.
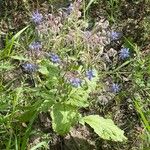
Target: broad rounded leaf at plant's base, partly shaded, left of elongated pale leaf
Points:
(63, 118)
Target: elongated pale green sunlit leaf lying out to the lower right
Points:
(105, 128)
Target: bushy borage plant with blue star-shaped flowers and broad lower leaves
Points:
(62, 65)
